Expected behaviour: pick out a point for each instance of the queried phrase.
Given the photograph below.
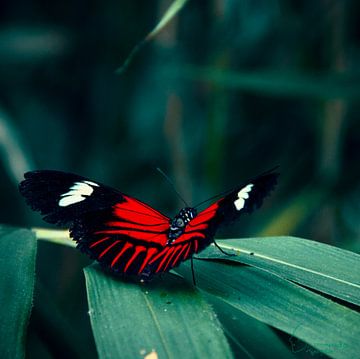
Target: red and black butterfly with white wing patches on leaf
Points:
(126, 235)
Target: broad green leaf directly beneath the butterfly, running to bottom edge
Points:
(168, 317)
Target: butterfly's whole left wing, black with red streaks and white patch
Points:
(121, 232)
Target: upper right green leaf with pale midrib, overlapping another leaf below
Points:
(316, 265)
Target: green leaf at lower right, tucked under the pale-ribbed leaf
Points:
(325, 325)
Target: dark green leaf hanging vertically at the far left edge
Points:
(17, 268)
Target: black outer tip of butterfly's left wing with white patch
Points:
(60, 196)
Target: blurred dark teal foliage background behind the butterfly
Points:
(229, 89)
